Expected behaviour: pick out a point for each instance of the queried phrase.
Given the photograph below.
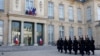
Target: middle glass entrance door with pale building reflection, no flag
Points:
(28, 34)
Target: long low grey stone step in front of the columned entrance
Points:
(24, 48)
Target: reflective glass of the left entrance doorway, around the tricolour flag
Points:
(16, 32)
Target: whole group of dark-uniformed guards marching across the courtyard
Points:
(83, 45)
